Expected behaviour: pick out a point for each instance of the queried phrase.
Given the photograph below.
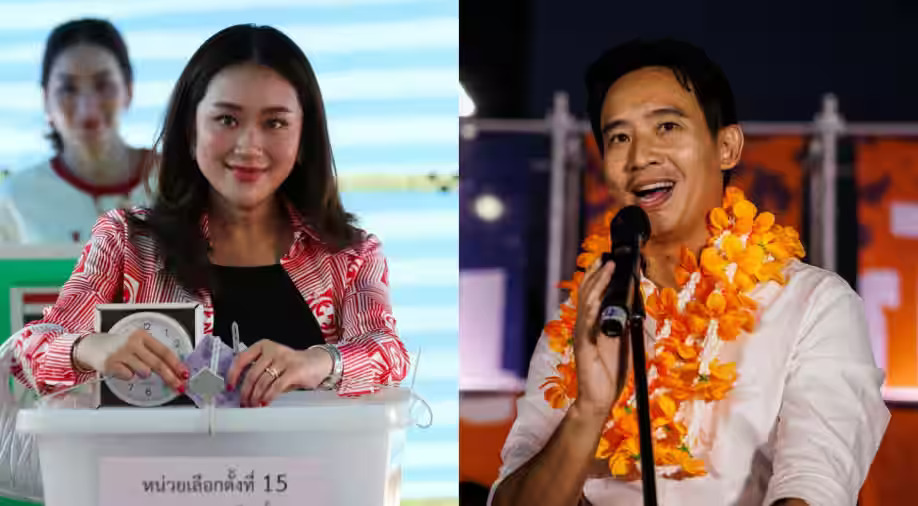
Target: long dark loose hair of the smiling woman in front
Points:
(183, 193)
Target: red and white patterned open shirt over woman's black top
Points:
(348, 293)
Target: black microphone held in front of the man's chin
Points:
(629, 231)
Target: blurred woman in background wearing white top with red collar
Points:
(87, 83)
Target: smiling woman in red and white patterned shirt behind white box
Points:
(247, 221)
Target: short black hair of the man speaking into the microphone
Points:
(693, 69)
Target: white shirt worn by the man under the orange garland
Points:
(804, 419)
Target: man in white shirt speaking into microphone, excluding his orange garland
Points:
(805, 417)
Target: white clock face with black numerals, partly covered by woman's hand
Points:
(152, 391)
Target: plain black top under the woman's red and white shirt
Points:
(266, 304)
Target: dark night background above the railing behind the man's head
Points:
(780, 57)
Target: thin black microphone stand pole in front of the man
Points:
(636, 335)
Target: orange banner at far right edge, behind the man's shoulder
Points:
(887, 177)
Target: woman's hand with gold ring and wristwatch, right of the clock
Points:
(276, 369)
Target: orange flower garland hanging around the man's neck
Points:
(745, 249)
